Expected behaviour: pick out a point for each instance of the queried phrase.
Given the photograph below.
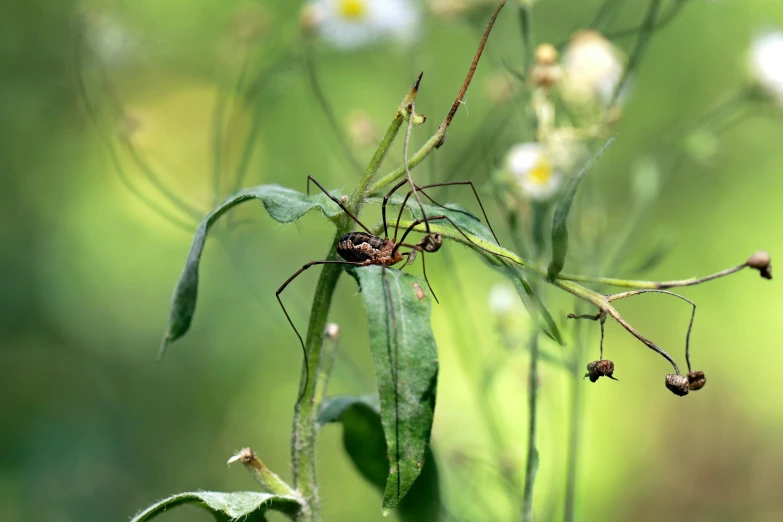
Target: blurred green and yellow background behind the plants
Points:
(94, 429)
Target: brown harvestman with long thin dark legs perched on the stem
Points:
(365, 248)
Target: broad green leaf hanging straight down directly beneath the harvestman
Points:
(406, 368)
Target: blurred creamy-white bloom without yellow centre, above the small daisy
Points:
(592, 68)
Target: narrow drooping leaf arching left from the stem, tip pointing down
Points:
(283, 205)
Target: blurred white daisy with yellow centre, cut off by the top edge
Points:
(349, 24)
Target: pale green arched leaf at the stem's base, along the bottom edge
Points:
(245, 505)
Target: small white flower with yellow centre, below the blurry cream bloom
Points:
(532, 171)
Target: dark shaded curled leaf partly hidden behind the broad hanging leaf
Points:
(363, 439)
